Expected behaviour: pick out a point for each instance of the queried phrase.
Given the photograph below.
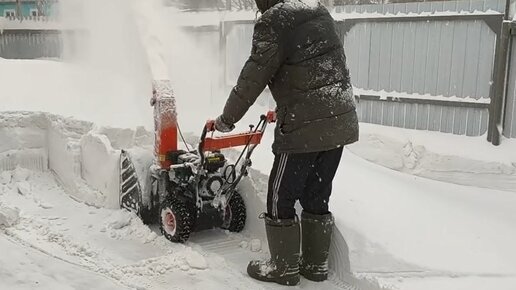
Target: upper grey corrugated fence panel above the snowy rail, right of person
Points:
(449, 58)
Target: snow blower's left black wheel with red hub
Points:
(176, 220)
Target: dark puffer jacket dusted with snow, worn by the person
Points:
(296, 52)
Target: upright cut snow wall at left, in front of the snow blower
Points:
(82, 157)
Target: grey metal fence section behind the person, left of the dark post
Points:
(429, 72)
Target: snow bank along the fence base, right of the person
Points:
(470, 161)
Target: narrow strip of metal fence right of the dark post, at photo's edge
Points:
(510, 107)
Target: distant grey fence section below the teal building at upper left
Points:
(30, 44)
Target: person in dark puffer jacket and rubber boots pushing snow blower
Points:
(297, 52)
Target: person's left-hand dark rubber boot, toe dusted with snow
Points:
(284, 242)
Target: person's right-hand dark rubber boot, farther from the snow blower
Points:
(316, 238)
